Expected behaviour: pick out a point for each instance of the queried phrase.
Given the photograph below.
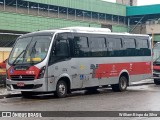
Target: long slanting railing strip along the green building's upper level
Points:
(53, 14)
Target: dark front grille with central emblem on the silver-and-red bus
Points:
(22, 77)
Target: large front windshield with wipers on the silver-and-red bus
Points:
(30, 50)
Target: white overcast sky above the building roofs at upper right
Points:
(142, 2)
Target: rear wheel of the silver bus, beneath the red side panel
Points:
(121, 86)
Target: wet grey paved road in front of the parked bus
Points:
(136, 98)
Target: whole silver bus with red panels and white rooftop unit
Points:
(74, 58)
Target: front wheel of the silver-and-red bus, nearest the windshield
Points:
(61, 89)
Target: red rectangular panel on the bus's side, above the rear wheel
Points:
(114, 69)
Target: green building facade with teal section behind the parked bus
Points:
(22, 16)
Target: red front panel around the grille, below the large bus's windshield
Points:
(31, 71)
